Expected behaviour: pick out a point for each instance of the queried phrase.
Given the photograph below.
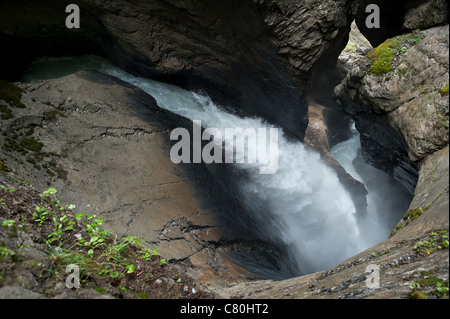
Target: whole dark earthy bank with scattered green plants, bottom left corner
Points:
(121, 267)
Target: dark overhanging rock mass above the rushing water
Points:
(253, 56)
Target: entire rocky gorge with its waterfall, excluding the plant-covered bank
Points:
(362, 117)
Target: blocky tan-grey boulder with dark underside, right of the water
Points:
(407, 106)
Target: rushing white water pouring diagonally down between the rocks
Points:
(303, 203)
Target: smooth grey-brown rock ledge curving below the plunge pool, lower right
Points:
(399, 259)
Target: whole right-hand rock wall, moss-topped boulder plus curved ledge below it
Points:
(402, 113)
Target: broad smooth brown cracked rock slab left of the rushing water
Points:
(104, 145)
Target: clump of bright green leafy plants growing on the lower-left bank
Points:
(94, 249)
